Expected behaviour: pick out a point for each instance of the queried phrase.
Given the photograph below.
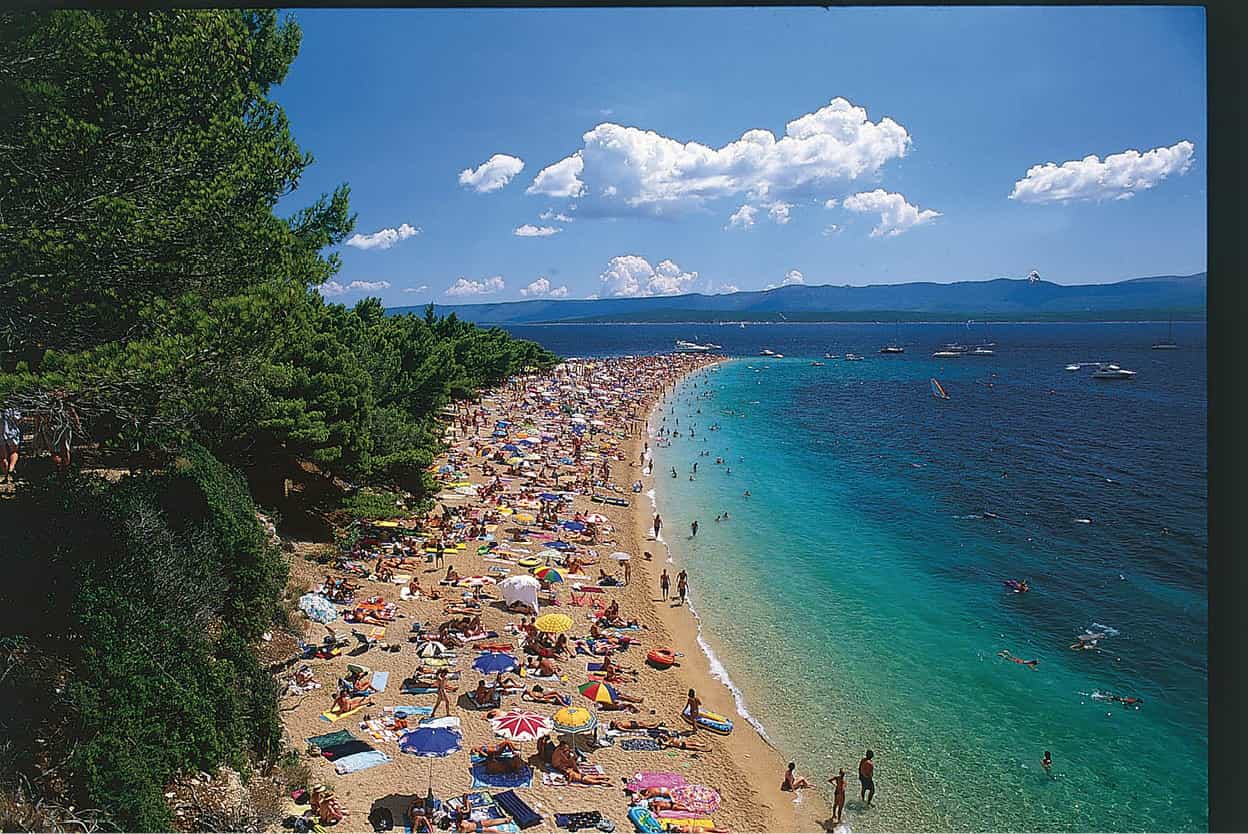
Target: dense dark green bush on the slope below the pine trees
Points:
(157, 595)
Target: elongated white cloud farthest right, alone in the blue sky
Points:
(1119, 178)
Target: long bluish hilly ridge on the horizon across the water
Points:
(1002, 299)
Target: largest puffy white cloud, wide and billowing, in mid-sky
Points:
(631, 172)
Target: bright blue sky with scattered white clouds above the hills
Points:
(499, 155)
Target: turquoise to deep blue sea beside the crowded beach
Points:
(856, 599)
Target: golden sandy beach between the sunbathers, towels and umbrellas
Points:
(742, 767)
